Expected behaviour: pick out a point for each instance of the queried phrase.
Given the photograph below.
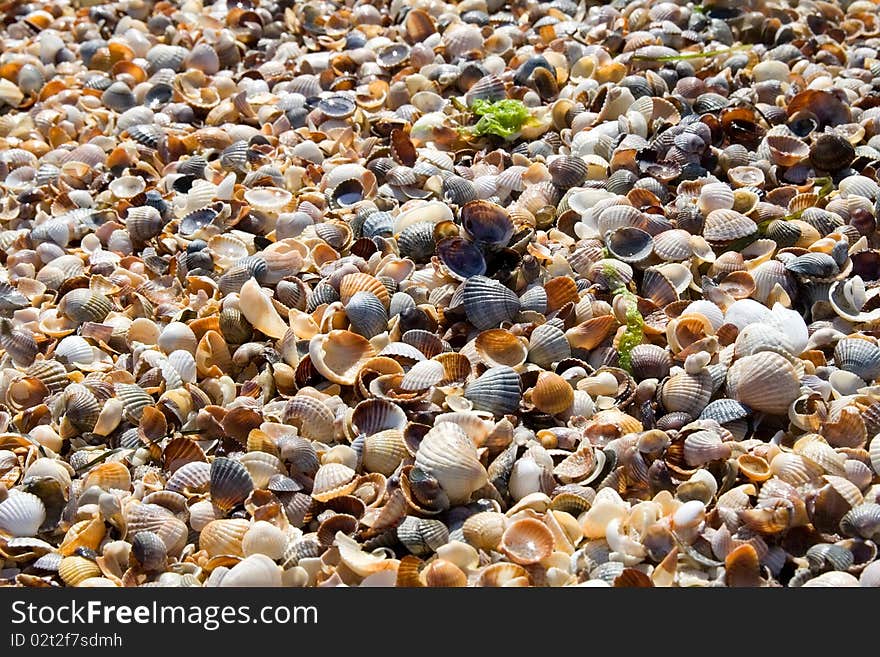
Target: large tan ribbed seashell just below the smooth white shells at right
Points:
(766, 382)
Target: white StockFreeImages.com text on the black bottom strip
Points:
(210, 617)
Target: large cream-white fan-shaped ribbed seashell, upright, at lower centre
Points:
(447, 454)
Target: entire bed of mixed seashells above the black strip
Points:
(425, 294)
